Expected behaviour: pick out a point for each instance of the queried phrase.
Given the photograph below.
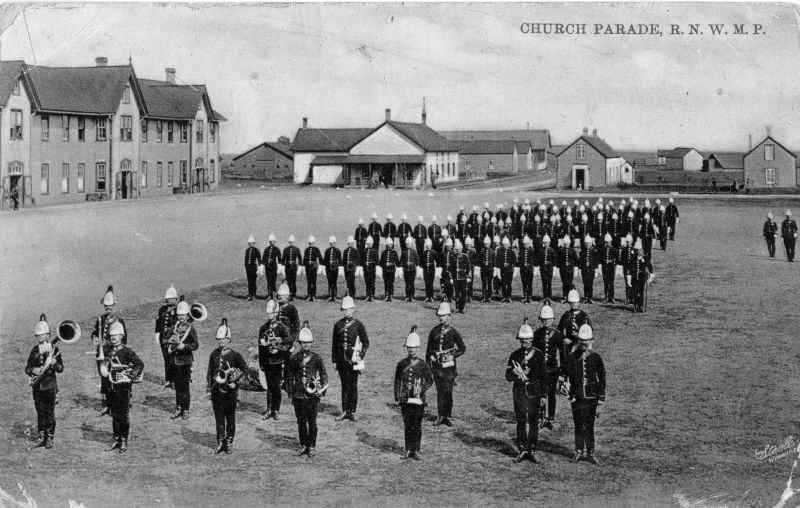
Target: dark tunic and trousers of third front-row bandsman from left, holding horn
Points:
(223, 397)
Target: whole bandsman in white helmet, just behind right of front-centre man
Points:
(444, 346)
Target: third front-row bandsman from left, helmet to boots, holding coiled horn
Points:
(223, 365)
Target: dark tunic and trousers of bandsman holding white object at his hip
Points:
(346, 333)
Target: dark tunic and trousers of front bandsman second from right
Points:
(527, 394)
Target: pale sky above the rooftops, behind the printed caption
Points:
(341, 65)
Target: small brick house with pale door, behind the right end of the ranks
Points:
(588, 162)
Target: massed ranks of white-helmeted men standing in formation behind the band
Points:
(569, 242)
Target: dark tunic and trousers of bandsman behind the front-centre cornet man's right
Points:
(443, 338)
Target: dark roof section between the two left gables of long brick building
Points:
(88, 90)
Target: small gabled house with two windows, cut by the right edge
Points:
(769, 164)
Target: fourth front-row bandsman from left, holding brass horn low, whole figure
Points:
(307, 382)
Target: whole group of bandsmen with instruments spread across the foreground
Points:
(555, 359)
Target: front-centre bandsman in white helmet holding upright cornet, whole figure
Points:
(412, 378)
